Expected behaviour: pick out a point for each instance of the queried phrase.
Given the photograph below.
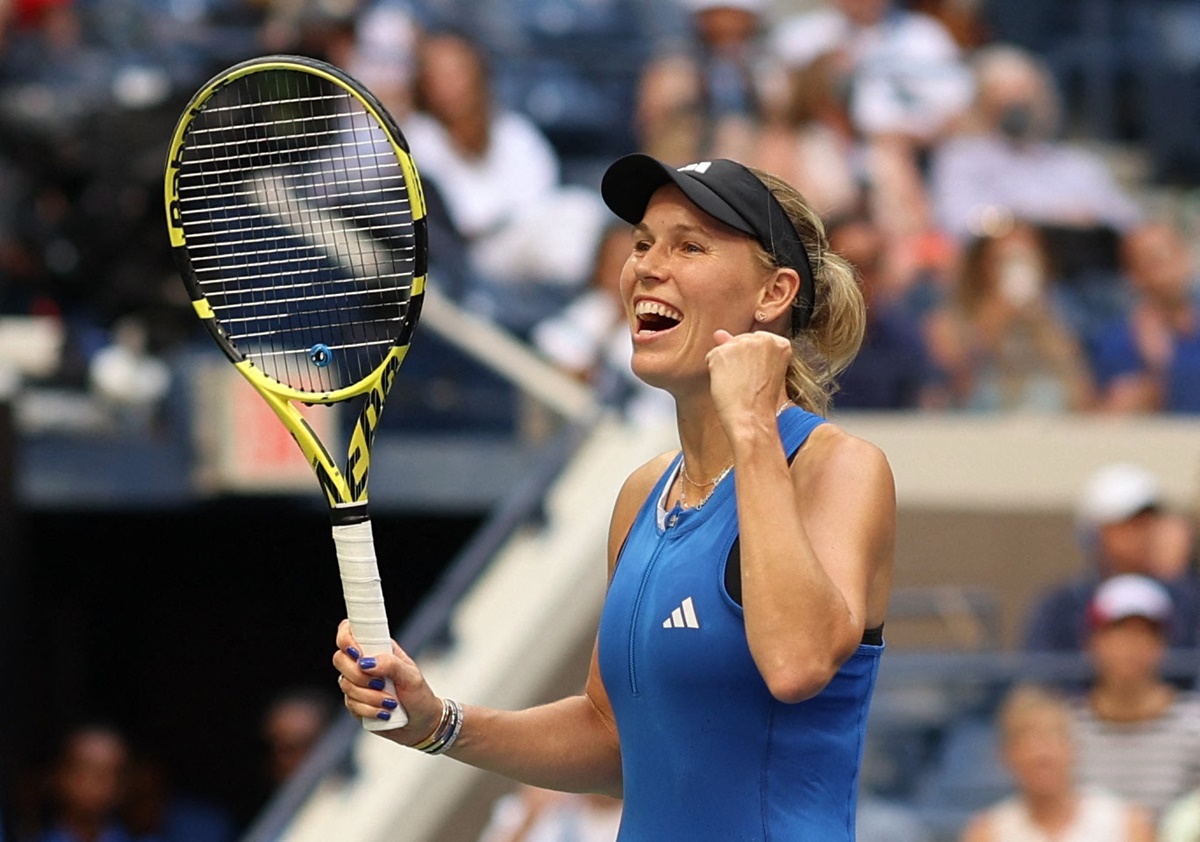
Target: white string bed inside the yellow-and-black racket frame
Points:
(299, 227)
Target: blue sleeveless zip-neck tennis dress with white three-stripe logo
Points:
(709, 755)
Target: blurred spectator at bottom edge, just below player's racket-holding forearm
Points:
(537, 815)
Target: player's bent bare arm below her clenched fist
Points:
(806, 556)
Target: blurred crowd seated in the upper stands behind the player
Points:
(1001, 205)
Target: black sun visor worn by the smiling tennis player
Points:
(729, 193)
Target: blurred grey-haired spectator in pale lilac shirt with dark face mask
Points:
(1010, 161)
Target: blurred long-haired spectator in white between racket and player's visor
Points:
(531, 238)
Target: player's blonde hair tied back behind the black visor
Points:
(829, 345)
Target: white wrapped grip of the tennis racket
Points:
(363, 592)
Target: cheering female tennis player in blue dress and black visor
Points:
(749, 572)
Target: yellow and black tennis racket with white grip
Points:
(298, 225)
